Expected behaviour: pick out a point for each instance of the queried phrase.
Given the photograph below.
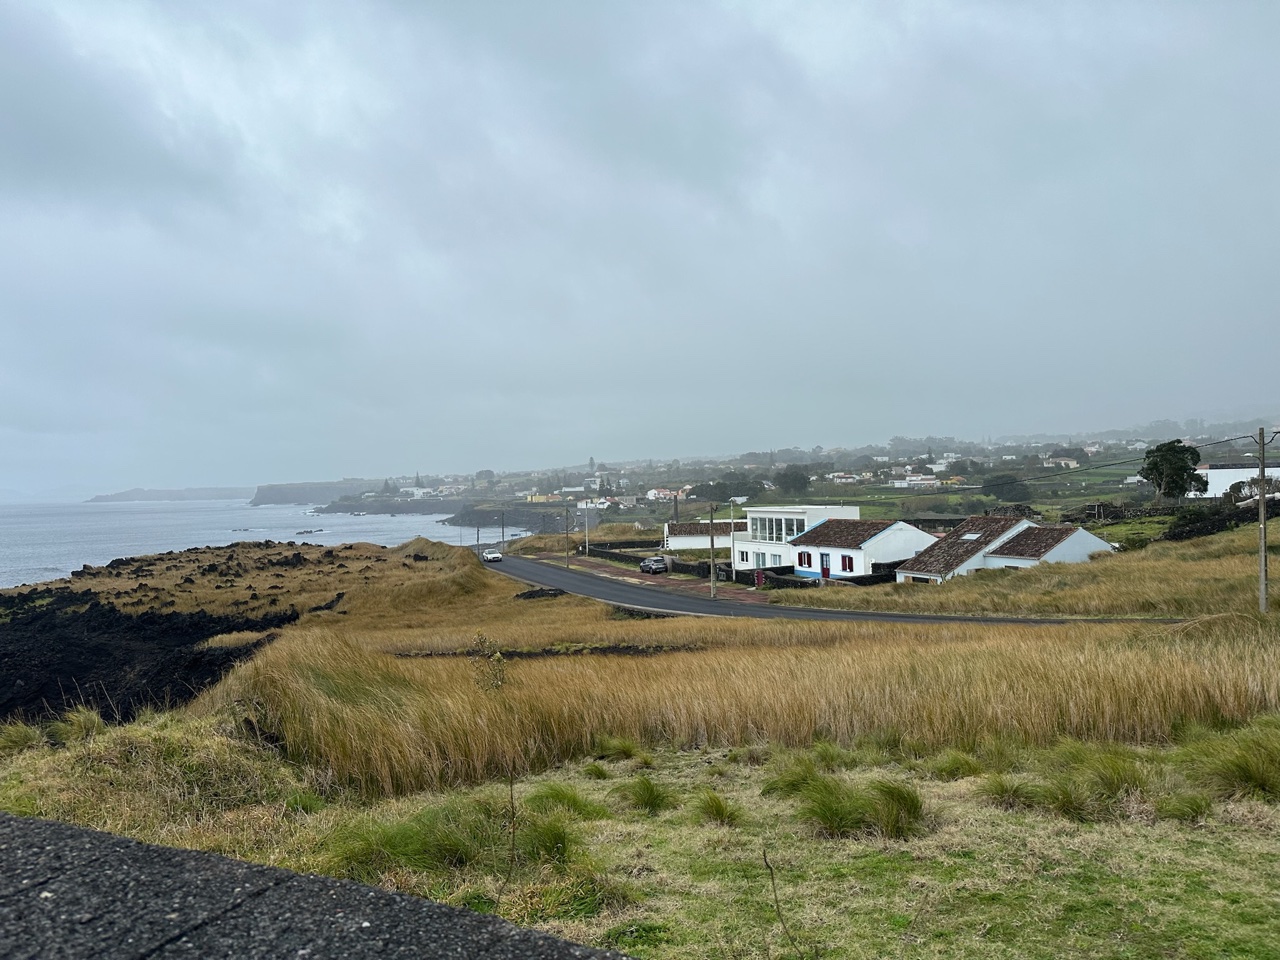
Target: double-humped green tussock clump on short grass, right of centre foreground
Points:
(888, 808)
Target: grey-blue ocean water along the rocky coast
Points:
(49, 541)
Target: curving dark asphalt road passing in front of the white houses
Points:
(661, 601)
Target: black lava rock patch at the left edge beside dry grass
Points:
(62, 647)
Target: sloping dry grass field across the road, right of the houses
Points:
(1187, 579)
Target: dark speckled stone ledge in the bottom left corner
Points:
(72, 894)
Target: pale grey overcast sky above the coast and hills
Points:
(249, 243)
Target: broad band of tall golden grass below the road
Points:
(390, 725)
